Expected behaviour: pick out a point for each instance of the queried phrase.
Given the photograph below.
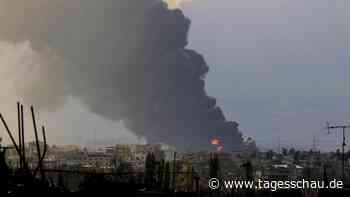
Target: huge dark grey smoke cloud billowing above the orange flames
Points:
(126, 60)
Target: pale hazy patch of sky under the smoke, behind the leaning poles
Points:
(72, 123)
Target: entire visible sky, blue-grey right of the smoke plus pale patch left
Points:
(278, 67)
